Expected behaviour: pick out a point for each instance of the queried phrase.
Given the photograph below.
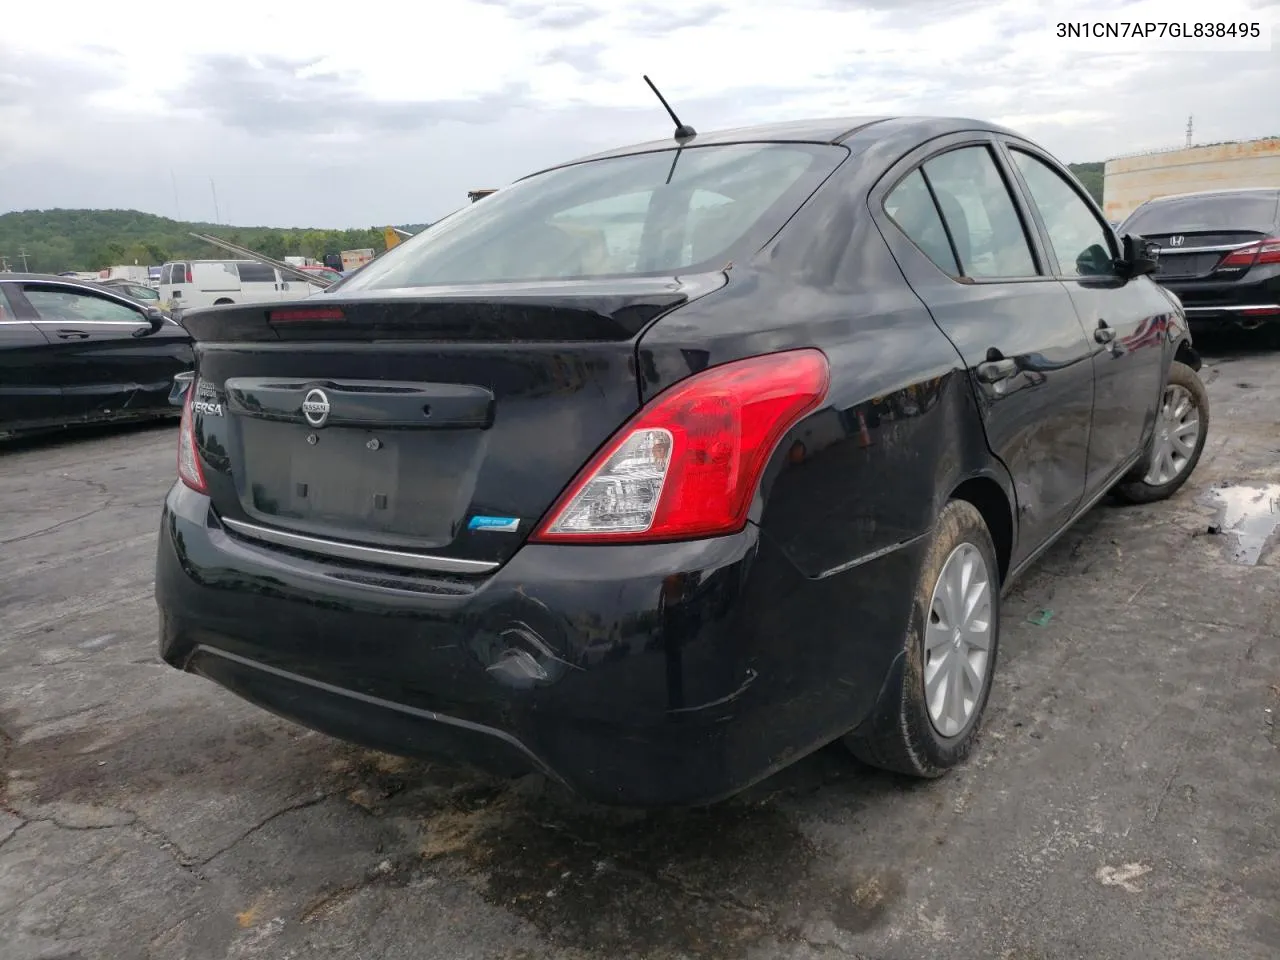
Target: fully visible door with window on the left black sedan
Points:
(95, 342)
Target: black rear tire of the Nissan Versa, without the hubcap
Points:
(902, 738)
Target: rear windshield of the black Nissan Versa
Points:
(623, 217)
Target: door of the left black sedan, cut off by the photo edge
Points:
(31, 391)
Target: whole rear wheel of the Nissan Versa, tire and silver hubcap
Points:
(927, 724)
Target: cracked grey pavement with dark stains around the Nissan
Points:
(1123, 801)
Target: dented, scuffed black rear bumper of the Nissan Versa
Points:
(666, 674)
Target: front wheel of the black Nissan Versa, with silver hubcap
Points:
(1182, 427)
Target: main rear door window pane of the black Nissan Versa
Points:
(981, 214)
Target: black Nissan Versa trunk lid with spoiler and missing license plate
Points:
(440, 423)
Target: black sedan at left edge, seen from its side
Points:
(75, 353)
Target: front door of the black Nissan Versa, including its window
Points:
(1126, 319)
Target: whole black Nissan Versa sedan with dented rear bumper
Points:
(662, 469)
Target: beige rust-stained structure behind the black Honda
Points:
(1131, 181)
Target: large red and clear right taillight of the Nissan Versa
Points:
(689, 464)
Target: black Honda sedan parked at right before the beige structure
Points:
(1219, 253)
